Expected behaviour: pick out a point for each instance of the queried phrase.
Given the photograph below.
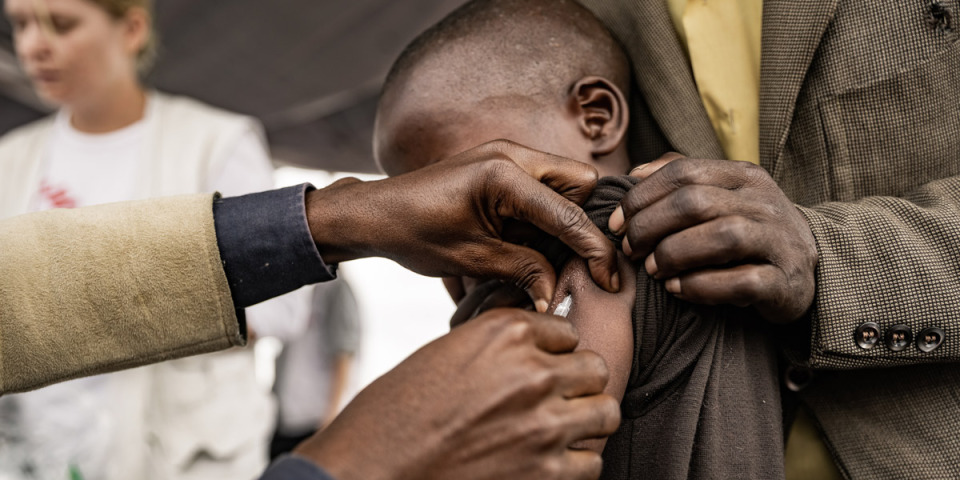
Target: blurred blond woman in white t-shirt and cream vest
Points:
(113, 139)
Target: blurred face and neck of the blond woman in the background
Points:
(78, 56)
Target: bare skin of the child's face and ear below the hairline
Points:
(422, 123)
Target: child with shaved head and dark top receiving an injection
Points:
(699, 394)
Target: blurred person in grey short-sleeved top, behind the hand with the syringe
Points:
(313, 368)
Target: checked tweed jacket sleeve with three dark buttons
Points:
(892, 264)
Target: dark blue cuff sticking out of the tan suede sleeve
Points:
(266, 246)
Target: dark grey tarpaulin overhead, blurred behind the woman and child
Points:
(309, 69)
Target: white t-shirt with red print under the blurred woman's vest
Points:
(77, 422)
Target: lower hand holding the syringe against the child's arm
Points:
(500, 397)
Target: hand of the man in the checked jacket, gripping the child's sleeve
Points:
(720, 232)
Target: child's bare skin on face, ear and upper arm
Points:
(420, 126)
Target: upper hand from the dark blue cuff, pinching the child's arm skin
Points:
(449, 219)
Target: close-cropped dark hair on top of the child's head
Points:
(518, 46)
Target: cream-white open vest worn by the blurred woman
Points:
(189, 141)
